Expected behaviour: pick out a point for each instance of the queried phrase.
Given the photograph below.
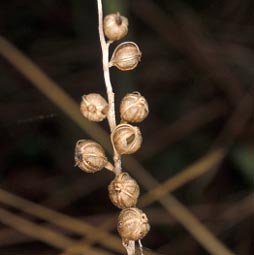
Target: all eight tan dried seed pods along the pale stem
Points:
(125, 138)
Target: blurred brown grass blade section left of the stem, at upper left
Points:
(51, 90)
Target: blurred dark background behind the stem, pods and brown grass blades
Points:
(197, 73)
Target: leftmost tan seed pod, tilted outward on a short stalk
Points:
(90, 156)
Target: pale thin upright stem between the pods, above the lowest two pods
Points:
(111, 96)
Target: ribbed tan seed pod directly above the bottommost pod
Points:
(123, 191)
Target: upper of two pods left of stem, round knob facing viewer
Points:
(94, 107)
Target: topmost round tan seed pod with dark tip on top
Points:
(115, 26)
